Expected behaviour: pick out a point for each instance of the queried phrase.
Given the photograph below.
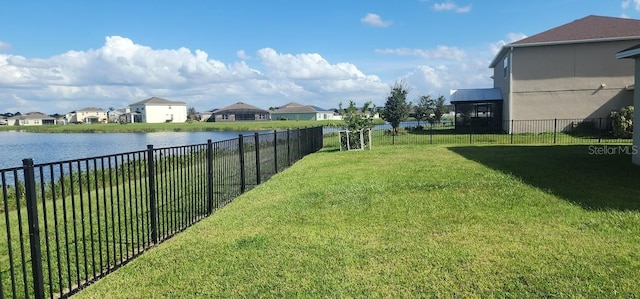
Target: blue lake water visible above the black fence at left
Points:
(52, 147)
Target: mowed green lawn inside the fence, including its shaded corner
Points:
(411, 221)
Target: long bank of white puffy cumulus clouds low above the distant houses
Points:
(121, 72)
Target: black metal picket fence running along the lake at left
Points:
(67, 224)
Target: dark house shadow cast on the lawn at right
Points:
(596, 177)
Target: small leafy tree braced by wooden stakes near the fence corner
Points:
(355, 123)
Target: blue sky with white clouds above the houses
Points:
(59, 56)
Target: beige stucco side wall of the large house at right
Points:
(569, 81)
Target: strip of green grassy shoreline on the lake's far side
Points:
(173, 127)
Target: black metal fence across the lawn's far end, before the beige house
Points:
(550, 131)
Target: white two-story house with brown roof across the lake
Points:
(157, 110)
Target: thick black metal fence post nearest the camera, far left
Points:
(34, 228)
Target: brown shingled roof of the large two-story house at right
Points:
(588, 29)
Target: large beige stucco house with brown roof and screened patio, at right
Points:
(568, 73)
